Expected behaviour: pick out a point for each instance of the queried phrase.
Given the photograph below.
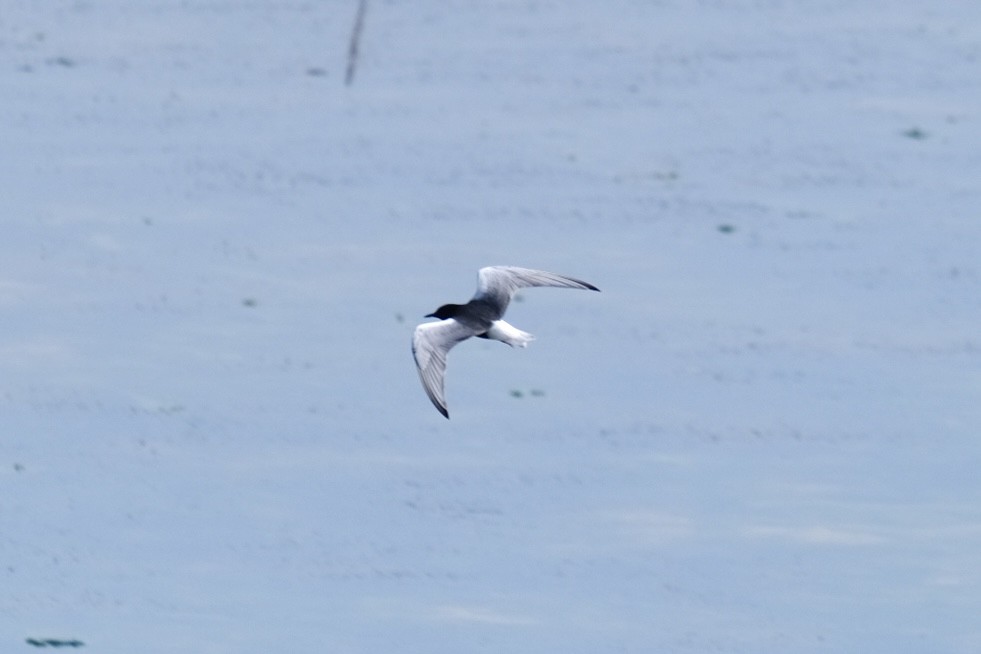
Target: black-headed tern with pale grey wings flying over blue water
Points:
(480, 317)
